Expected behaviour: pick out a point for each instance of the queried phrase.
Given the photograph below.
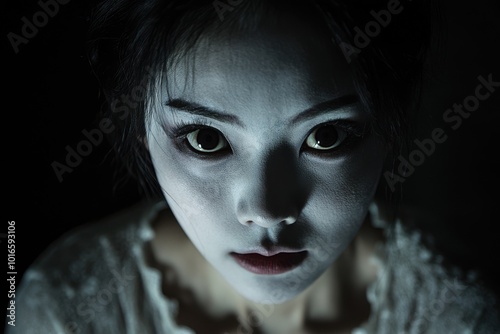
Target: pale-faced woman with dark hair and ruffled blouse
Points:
(265, 127)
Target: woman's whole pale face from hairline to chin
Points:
(265, 156)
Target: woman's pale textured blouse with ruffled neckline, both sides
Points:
(96, 279)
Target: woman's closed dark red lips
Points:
(270, 264)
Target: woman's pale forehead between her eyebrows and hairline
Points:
(283, 66)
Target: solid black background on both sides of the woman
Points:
(50, 96)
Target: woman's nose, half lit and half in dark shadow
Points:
(273, 192)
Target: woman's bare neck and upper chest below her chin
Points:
(336, 302)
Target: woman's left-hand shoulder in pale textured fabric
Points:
(83, 277)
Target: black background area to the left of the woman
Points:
(50, 95)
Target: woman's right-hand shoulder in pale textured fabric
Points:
(418, 291)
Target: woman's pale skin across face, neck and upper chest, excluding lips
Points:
(223, 199)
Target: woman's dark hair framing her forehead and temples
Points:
(130, 41)
